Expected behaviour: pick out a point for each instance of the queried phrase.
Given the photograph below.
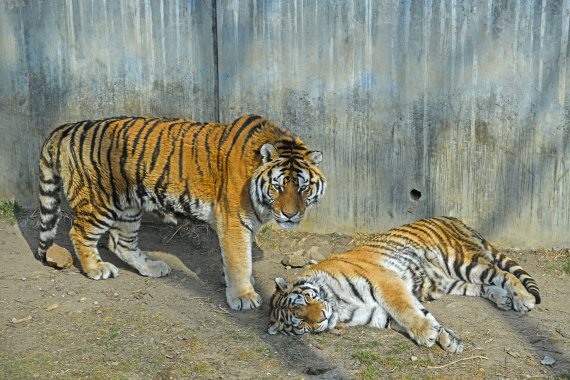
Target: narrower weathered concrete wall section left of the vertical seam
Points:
(63, 61)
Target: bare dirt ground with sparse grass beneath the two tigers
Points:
(178, 327)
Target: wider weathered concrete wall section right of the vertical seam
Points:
(465, 102)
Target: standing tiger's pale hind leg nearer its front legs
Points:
(123, 241)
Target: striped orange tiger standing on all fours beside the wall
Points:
(235, 176)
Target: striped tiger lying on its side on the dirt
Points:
(381, 283)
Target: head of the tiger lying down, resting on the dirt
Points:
(298, 309)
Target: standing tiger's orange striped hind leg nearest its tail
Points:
(84, 235)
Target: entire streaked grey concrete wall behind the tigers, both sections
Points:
(465, 102)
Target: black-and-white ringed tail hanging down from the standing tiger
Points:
(50, 186)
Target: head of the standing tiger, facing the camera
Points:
(287, 181)
